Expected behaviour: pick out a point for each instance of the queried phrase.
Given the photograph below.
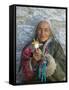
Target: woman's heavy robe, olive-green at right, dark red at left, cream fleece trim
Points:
(56, 68)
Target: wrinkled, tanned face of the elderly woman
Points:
(43, 31)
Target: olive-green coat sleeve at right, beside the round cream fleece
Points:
(60, 61)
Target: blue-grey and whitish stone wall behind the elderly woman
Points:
(27, 19)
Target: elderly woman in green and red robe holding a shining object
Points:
(46, 62)
